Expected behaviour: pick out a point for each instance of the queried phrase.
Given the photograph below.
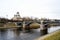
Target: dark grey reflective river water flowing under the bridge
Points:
(11, 34)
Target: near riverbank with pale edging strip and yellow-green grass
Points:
(52, 36)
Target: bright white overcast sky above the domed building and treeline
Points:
(30, 8)
